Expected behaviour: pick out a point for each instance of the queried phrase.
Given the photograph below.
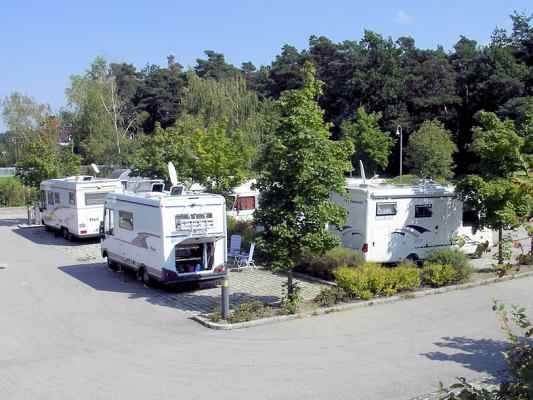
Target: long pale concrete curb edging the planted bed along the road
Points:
(203, 320)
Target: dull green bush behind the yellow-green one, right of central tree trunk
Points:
(323, 265)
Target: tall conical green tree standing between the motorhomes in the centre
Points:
(301, 166)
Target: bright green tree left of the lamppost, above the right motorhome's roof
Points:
(371, 145)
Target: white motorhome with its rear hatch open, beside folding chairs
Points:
(167, 237)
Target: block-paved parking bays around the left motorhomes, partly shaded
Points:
(245, 285)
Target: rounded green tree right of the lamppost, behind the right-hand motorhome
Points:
(430, 151)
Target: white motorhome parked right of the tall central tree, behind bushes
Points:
(390, 223)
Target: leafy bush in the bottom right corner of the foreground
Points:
(518, 384)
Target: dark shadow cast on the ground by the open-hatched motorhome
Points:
(184, 297)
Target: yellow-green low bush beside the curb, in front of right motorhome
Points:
(372, 280)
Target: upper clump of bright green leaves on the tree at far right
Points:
(498, 146)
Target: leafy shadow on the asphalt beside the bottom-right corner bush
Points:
(480, 355)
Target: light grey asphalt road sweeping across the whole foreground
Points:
(71, 329)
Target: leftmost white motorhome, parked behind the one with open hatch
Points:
(75, 205)
